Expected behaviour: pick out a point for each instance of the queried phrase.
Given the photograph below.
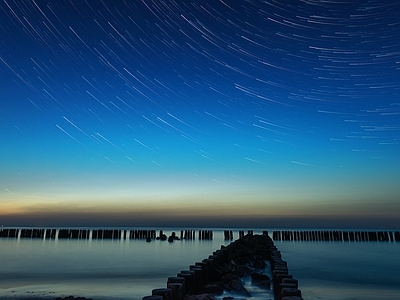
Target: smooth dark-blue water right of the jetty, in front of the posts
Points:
(344, 270)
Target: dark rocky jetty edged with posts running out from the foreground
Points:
(224, 270)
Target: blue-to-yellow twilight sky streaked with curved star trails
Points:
(201, 113)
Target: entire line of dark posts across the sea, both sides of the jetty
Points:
(147, 234)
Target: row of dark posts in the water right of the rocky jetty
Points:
(337, 236)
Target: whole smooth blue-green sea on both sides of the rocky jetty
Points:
(122, 269)
